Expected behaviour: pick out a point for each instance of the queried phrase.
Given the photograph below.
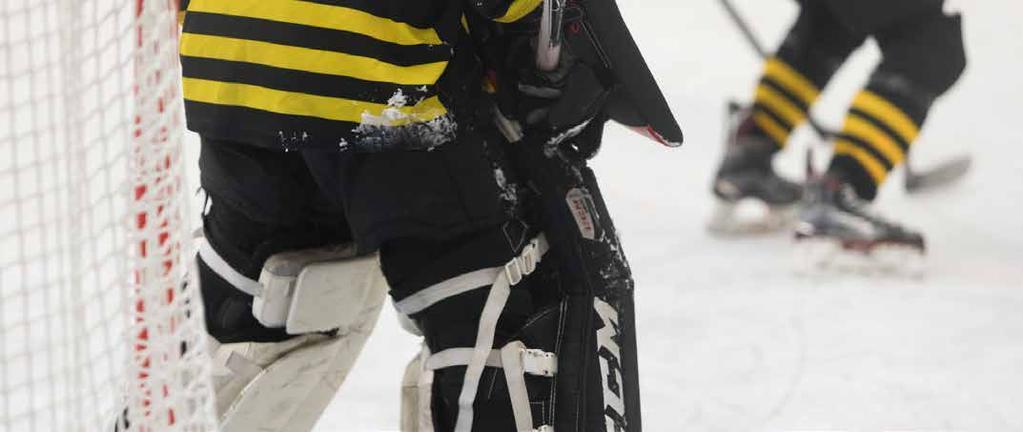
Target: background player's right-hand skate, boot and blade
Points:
(837, 231)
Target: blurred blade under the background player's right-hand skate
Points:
(827, 256)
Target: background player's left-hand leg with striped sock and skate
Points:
(815, 49)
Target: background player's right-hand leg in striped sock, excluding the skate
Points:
(923, 58)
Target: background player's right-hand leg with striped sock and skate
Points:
(923, 58)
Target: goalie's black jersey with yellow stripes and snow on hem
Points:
(329, 73)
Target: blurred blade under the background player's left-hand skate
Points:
(750, 218)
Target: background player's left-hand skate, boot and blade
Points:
(751, 197)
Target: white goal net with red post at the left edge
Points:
(96, 326)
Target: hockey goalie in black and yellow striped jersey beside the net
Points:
(355, 148)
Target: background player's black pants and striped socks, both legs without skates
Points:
(923, 57)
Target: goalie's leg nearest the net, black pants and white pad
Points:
(264, 203)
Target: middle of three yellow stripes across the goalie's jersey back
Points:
(316, 61)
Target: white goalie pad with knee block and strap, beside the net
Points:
(328, 301)
